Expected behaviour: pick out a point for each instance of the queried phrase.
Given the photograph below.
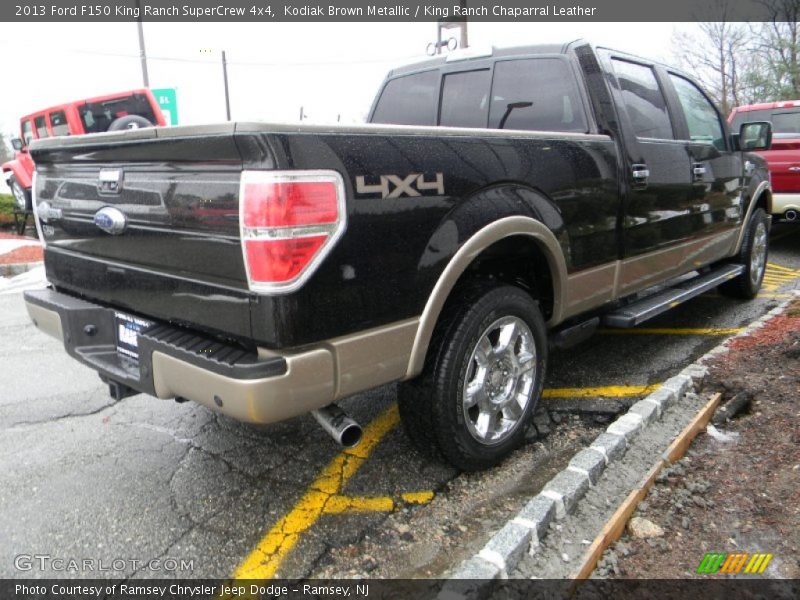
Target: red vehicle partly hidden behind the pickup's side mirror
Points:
(784, 156)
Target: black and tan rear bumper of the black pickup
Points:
(255, 387)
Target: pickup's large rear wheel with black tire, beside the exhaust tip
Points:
(482, 379)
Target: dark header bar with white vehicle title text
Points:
(389, 10)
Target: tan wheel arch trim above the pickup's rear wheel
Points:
(499, 231)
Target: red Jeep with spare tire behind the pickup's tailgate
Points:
(125, 110)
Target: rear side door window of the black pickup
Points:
(644, 101)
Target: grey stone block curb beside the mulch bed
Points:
(562, 493)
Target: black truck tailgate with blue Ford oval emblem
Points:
(177, 255)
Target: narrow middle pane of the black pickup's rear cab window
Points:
(465, 99)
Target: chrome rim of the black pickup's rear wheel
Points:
(499, 380)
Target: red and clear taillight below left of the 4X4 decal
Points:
(289, 220)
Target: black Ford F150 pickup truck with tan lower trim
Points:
(496, 205)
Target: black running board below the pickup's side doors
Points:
(646, 308)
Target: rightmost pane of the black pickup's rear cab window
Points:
(537, 94)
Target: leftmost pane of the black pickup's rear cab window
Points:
(409, 100)
